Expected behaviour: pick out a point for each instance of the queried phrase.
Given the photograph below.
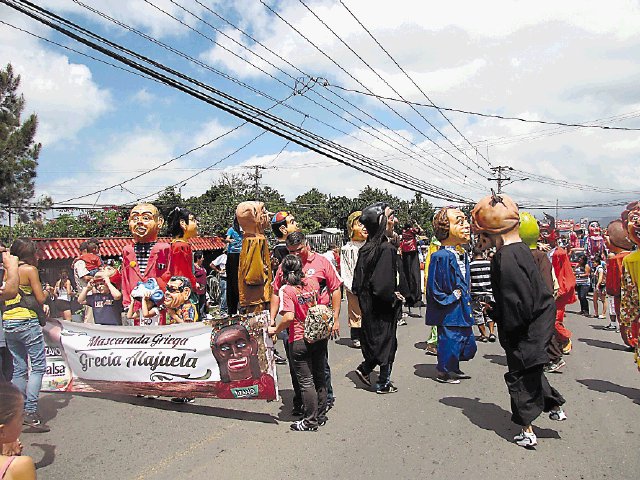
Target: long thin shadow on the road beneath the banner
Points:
(165, 404)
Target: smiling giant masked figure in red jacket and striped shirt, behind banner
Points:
(146, 258)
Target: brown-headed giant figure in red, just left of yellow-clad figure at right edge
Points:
(619, 247)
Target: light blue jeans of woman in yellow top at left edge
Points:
(26, 344)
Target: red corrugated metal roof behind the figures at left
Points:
(66, 248)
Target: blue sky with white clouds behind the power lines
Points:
(570, 61)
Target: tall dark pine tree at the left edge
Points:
(18, 151)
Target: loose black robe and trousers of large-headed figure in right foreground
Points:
(524, 311)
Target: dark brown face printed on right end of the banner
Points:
(236, 352)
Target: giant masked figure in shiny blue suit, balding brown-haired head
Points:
(449, 296)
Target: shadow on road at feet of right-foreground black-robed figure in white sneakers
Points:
(489, 416)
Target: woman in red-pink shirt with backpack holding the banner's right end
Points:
(308, 359)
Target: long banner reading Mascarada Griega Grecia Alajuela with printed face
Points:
(230, 358)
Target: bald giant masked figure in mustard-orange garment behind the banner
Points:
(254, 271)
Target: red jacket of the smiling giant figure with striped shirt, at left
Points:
(156, 268)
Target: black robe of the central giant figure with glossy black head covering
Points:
(374, 282)
